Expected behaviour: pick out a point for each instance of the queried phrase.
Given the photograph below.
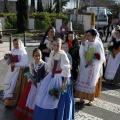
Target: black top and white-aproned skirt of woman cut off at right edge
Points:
(112, 73)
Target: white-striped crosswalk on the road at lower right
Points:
(107, 107)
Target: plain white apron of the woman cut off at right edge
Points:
(112, 66)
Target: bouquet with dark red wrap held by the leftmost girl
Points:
(11, 59)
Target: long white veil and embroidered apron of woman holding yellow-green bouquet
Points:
(88, 76)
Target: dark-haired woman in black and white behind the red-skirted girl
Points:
(46, 43)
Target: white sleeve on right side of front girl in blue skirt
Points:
(65, 65)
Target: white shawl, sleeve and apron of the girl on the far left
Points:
(11, 77)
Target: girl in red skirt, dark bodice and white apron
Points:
(26, 104)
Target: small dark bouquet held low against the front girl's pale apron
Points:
(56, 92)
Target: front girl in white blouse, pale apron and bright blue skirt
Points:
(47, 106)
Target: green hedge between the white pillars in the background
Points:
(43, 20)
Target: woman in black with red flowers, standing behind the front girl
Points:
(74, 52)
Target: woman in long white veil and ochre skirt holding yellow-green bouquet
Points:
(88, 85)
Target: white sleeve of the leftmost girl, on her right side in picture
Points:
(23, 61)
